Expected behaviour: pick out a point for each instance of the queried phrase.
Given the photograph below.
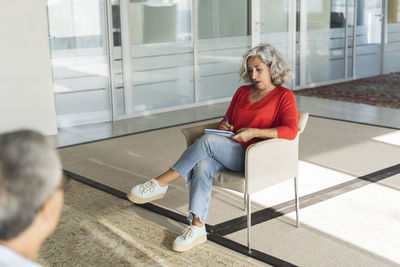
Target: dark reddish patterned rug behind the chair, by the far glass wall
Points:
(383, 90)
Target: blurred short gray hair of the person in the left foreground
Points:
(30, 172)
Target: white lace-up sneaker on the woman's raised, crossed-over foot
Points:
(149, 191)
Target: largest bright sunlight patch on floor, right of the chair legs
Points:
(368, 218)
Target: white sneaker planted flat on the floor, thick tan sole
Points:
(191, 236)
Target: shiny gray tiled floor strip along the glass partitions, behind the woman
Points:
(380, 116)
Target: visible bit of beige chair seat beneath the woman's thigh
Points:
(230, 180)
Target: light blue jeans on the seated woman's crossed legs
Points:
(199, 163)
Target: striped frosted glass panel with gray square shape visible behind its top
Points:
(162, 53)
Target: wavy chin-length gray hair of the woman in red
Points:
(279, 69)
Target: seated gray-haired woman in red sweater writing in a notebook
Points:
(261, 110)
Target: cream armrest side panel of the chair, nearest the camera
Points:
(270, 162)
